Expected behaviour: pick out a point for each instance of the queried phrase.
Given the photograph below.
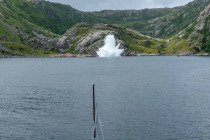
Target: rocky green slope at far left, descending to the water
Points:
(19, 37)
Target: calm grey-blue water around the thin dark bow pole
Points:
(139, 98)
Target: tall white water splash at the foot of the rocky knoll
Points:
(110, 49)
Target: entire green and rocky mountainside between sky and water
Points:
(38, 28)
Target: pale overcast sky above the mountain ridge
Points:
(97, 5)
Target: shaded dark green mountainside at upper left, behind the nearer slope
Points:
(55, 17)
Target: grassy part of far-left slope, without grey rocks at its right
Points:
(15, 33)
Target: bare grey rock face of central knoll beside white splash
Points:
(88, 43)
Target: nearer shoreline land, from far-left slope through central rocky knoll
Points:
(19, 37)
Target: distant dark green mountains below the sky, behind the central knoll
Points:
(162, 22)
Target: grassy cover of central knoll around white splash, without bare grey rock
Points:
(133, 41)
